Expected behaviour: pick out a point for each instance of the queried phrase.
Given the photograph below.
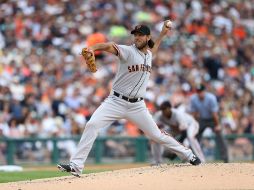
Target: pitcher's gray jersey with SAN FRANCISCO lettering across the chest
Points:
(129, 81)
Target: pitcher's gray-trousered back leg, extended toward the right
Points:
(143, 119)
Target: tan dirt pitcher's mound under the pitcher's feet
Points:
(167, 176)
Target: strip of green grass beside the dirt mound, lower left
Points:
(31, 175)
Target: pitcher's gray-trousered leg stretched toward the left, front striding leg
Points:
(110, 110)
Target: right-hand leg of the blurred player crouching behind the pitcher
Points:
(192, 131)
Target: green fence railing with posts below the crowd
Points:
(140, 144)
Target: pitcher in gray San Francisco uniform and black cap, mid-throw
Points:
(126, 98)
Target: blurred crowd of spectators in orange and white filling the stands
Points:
(46, 89)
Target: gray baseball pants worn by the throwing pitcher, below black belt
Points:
(115, 108)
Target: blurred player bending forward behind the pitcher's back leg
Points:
(177, 121)
